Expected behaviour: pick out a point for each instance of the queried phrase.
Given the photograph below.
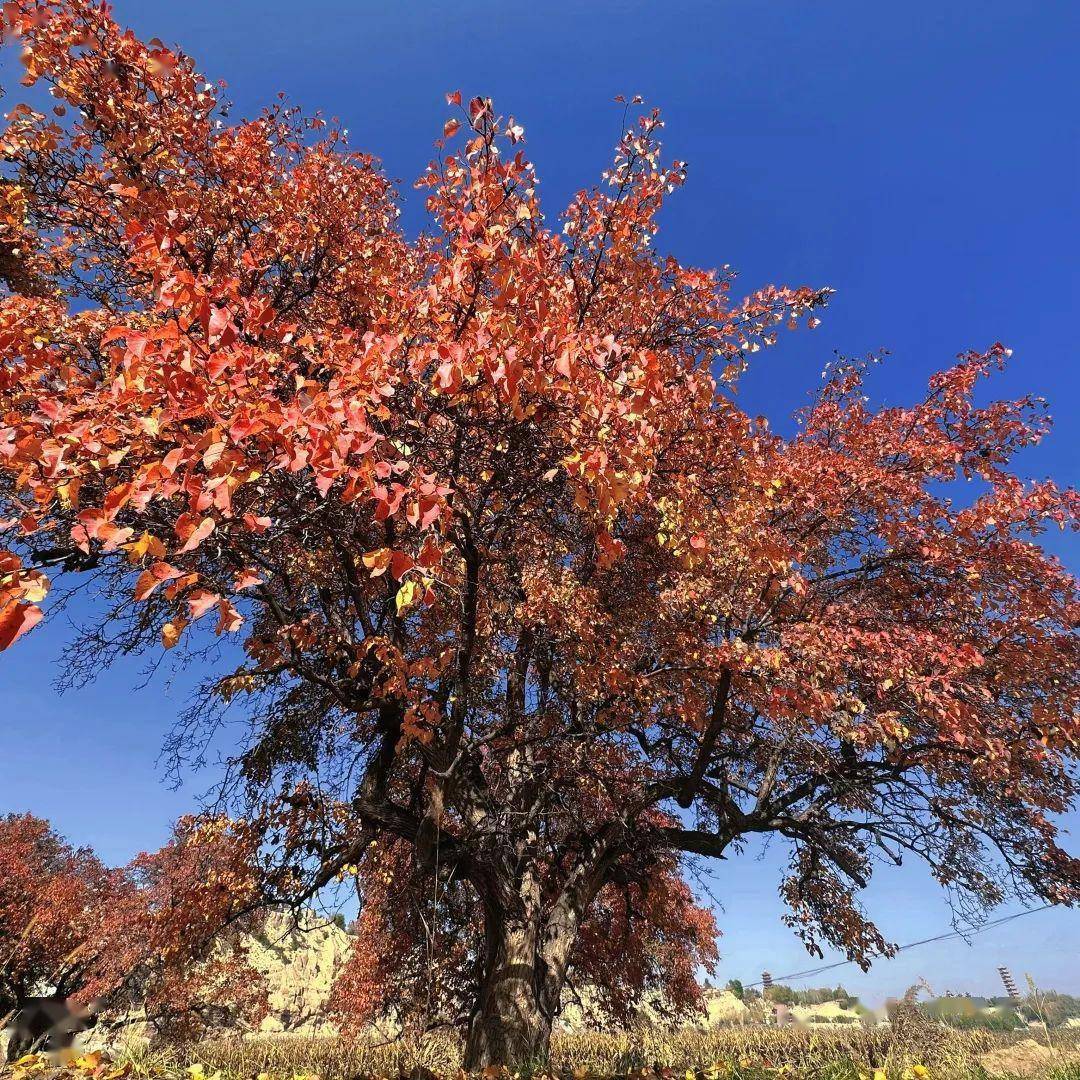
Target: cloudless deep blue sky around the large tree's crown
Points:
(922, 159)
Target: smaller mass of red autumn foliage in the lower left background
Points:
(144, 942)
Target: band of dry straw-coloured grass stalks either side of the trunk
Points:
(731, 1054)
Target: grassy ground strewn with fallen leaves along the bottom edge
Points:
(913, 1048)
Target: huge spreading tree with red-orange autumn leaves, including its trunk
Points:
(512, 579)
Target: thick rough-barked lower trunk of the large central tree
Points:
(518, 1002)
